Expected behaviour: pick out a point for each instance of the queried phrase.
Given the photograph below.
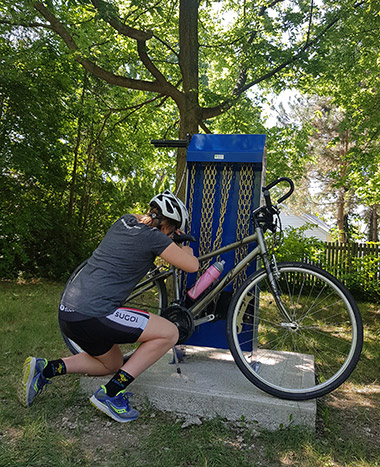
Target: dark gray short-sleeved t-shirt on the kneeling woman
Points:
(121, 260)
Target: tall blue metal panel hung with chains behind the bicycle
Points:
(239, 154)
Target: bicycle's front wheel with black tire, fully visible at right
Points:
(306, 356)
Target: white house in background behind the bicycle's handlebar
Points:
(318, 228)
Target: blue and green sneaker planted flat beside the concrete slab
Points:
(115, 407)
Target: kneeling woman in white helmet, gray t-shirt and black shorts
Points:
(91, 312)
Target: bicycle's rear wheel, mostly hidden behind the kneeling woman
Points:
(152, 298)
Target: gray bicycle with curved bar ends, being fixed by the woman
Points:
(284, 319)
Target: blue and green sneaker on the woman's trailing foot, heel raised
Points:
(33, 380)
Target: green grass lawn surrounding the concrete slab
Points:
(63, 429)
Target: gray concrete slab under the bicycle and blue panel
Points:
(210, 385)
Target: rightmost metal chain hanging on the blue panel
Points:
(246, 184)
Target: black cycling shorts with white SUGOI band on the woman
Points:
(96, 336)
